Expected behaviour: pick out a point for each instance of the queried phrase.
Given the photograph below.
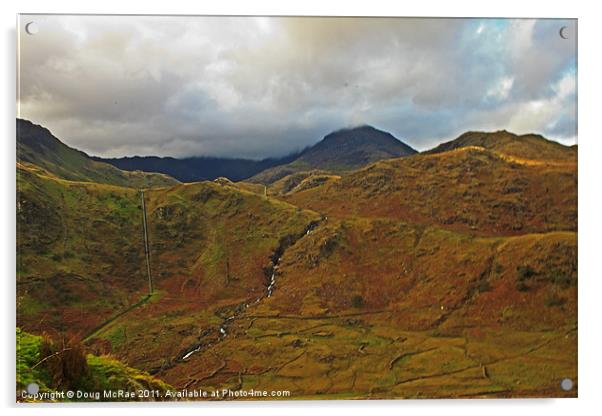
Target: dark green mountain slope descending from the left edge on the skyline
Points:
(36, 145)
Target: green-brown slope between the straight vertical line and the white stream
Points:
(213, 248)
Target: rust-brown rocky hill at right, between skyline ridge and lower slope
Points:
(468, 189)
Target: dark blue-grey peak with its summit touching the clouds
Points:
(342, 150)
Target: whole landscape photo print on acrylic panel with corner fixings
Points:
(286, 208)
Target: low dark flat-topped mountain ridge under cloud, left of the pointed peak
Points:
(194, 169)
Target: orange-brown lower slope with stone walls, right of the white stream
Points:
(382, 309)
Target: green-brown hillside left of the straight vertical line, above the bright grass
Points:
(79, 252)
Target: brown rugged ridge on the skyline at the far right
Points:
(527, 146)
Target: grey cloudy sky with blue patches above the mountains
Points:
(257, 87)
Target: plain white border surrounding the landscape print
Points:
(590, 160)
